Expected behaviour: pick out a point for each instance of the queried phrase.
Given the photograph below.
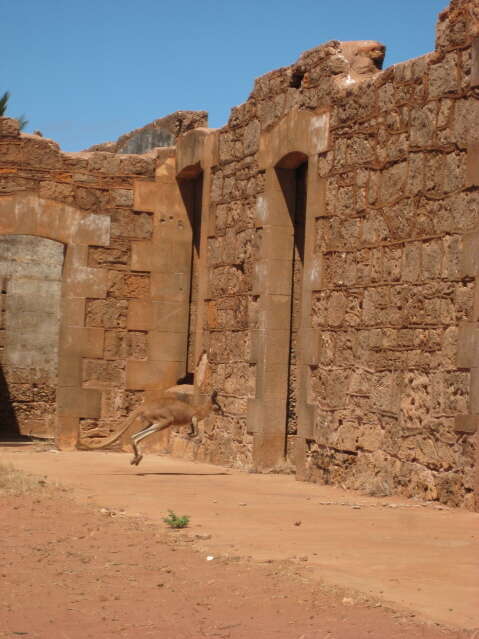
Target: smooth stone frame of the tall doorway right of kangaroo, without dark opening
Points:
(299, 137)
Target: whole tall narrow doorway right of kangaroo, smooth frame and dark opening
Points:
(283, 342)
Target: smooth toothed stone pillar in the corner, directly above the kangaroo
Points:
(168, 257)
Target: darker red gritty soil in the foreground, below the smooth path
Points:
(70, 570)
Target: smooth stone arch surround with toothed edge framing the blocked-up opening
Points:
(27, 214)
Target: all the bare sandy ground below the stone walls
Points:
(289, 559)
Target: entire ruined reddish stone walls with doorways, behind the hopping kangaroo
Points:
(322, 248)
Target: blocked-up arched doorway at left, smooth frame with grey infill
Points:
(31, 335)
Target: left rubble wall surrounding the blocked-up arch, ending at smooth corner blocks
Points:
(63, 190)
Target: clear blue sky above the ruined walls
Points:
(87, 71)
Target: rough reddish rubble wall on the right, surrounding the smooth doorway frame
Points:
(391, 400)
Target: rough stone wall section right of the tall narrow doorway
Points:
(388, 385)
